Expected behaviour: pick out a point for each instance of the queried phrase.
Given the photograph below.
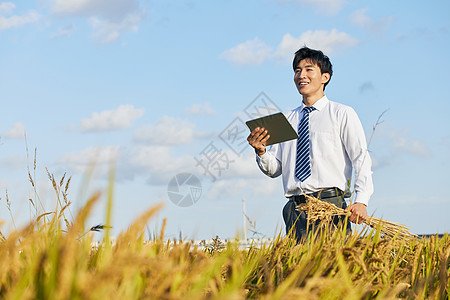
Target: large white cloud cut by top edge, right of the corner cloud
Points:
(109, 19)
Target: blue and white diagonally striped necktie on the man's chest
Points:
(302, 164)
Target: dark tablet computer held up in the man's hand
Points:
(277, 126)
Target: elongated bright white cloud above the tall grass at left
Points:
(119, 118)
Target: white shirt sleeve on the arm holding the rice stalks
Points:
(354, 140)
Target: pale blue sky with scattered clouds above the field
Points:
(152, 85)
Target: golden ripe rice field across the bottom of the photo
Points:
(53, 258)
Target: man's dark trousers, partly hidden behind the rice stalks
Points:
(297, 220)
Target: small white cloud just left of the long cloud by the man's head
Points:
(250, 52)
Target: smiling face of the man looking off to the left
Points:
(309, 79)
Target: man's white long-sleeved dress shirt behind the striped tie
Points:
(337, 146)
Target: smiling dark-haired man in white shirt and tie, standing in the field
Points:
(331, 144)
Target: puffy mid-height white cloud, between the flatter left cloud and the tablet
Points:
(167, 131)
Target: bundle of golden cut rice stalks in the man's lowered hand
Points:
(320, 210)
